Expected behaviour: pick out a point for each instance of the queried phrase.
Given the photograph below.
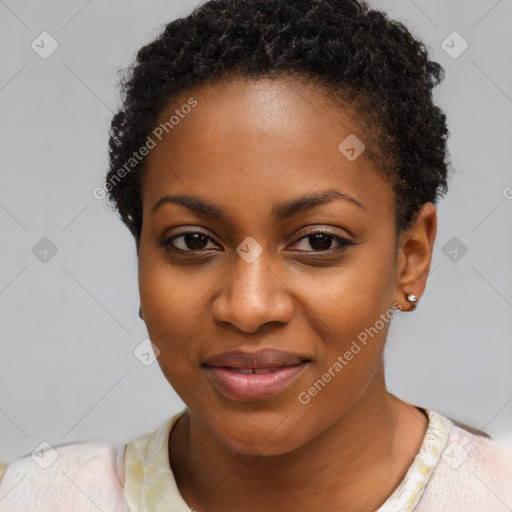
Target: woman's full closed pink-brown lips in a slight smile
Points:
(254, 375)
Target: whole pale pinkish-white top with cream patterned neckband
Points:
(454, 470)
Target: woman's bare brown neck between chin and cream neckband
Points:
(355, 464)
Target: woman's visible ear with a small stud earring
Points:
(414, 256)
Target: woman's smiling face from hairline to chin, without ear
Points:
(249, 268)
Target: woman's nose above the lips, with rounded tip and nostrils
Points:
(252, 295)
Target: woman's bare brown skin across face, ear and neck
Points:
(247, 146)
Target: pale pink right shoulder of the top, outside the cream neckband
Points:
(474, 473)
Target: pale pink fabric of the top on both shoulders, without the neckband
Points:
(474, 474)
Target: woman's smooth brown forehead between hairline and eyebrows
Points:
(249, 142)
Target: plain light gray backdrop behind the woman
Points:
(69, 325)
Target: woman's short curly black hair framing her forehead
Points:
(366, 62)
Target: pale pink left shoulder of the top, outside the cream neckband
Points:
(81, 477)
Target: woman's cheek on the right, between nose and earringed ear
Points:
(351, 313)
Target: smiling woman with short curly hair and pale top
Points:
(278, 164)
